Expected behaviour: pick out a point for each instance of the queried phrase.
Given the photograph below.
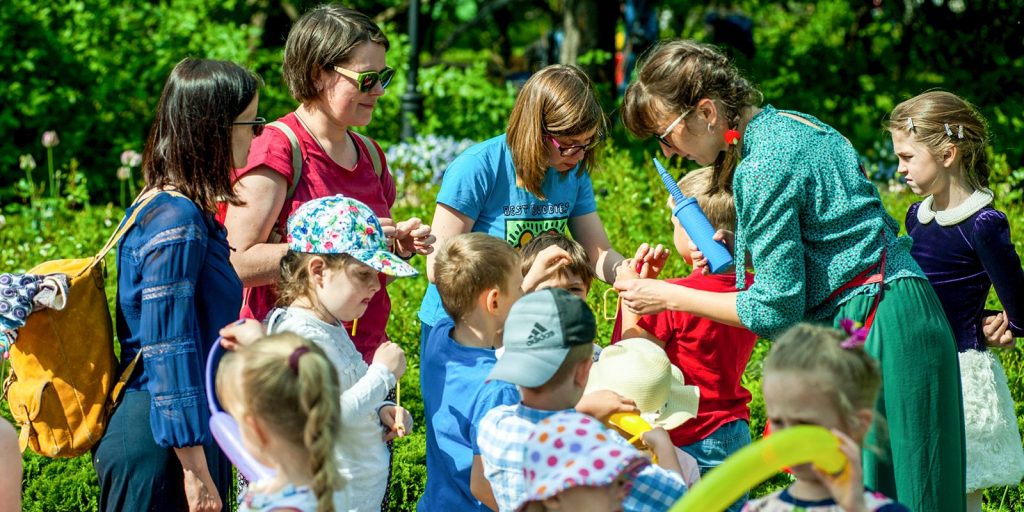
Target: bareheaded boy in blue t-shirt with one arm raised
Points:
(479, 279)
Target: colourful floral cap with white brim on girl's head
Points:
(344, 226)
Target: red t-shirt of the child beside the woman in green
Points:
(712, 357)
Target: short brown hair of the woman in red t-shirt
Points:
(324, 36)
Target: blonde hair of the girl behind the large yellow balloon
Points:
(849, 376)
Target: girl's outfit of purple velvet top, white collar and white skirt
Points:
(964, 251)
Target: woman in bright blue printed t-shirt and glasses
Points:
(531, 181)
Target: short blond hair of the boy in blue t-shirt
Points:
(470, 265)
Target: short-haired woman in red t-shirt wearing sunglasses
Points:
(335, 66)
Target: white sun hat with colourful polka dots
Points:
(573, 450)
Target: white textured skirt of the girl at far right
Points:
(995, 452)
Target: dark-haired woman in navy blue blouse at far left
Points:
(177, 289)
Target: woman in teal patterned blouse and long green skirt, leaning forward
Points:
(824, 248)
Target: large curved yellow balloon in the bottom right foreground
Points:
(758, 462)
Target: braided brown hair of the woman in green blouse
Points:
(674, 77)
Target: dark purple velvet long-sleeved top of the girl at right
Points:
(962, 262)
